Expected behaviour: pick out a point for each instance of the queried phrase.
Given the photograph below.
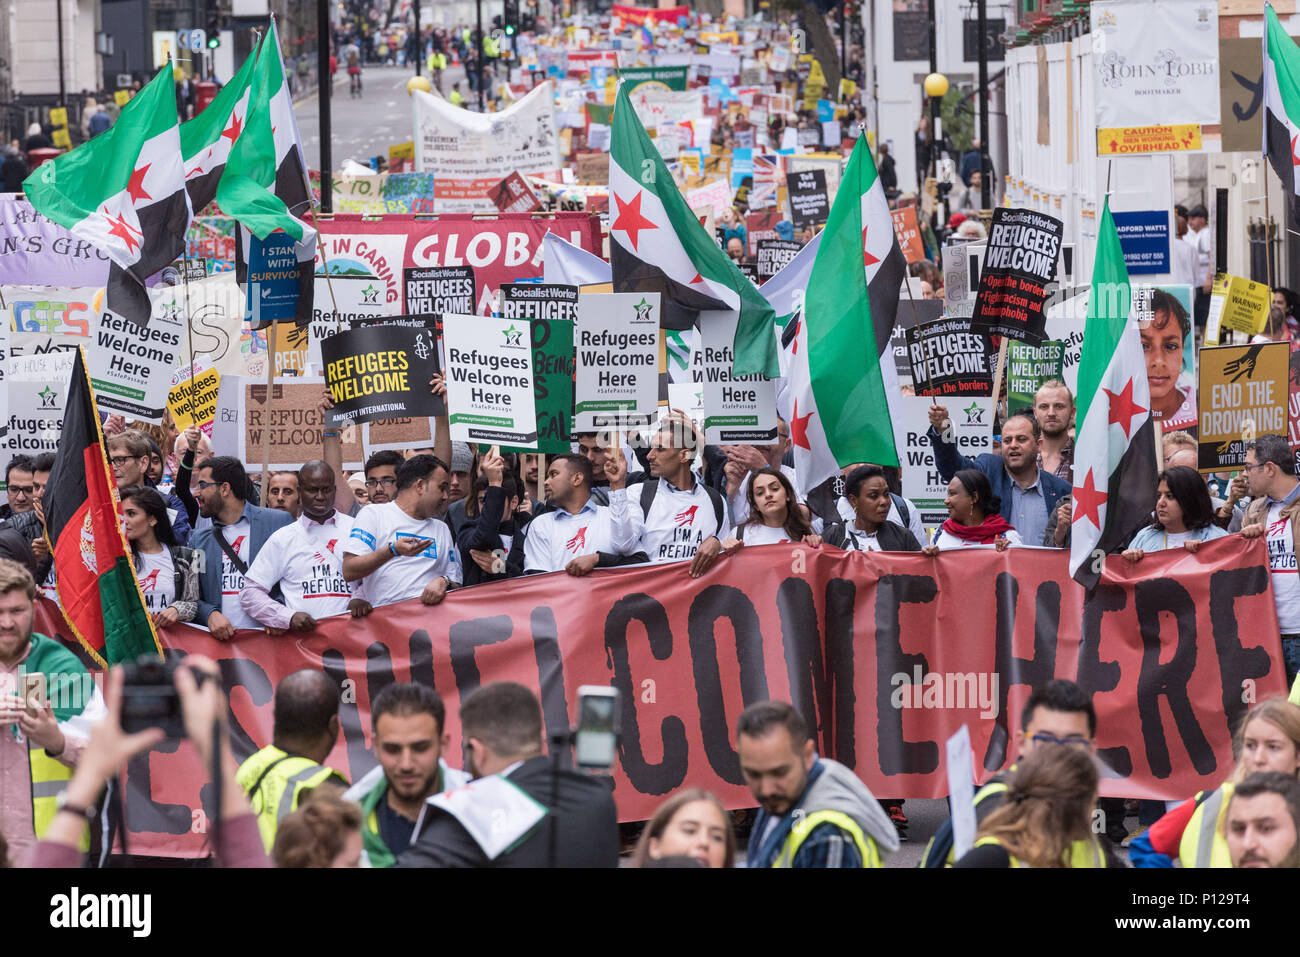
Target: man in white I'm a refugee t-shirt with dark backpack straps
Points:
(681, 518)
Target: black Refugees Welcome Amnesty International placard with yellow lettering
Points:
(382, 373)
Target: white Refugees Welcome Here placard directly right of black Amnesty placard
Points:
(489, 373)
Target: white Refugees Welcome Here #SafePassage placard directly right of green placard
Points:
(617, 340)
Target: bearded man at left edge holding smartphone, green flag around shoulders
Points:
(47, 707)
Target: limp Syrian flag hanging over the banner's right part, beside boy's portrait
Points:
(1115, 447)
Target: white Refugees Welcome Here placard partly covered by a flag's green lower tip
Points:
(739, 410)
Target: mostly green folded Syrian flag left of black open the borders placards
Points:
(843, 383)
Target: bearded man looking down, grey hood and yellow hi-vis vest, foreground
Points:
(814, 812)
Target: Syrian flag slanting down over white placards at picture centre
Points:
(657, 245)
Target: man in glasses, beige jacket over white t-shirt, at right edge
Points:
(1271, 475)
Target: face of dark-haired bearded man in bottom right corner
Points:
(1263, 822)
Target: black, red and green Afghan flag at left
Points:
(97, 584)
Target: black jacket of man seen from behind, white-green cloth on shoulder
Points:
(584, 813)
